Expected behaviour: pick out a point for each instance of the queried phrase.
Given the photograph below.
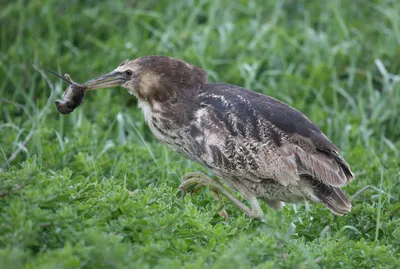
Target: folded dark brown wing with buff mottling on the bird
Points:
(260, 121)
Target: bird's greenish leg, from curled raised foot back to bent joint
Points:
(200, 179)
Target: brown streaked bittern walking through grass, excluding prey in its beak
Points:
(254, 145)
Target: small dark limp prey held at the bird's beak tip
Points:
(72, 97)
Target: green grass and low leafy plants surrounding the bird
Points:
(94, 189)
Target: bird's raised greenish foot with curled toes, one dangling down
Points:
(200, 180)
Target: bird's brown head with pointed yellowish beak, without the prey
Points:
(152, 78)
